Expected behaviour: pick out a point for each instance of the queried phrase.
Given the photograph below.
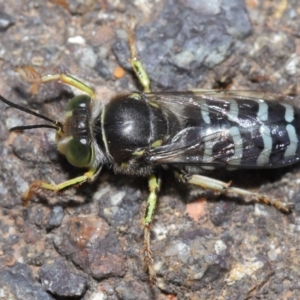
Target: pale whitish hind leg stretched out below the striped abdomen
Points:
(225, 188)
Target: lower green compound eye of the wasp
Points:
(79, 153)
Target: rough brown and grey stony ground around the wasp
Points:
(86, 243)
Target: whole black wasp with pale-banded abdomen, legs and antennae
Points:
(142, 133)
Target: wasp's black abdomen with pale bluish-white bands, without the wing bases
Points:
(249, 133)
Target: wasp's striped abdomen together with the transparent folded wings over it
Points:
(233, 132)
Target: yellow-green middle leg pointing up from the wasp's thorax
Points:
(136, 64)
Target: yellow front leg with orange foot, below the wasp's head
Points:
(40, 186)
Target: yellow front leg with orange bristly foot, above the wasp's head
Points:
(32, 75)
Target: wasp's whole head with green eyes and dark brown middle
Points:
(75, 140)
